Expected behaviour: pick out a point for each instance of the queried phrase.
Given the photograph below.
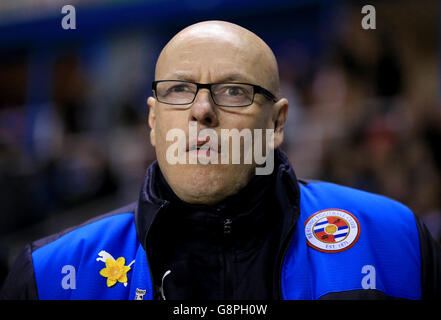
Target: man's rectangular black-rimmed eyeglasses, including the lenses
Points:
(225, 94)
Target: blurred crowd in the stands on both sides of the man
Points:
(365, 113)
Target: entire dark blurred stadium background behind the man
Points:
(364, 104)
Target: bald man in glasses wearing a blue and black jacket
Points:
(218, 230)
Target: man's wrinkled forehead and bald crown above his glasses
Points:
(218, 54)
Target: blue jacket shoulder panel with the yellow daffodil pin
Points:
(69, 267)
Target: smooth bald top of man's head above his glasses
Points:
(253, 58)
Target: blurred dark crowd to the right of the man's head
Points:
(367, 115)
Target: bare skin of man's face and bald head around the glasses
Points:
(211, 54)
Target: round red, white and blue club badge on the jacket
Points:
(332, 230)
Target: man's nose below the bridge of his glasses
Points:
(203, 109)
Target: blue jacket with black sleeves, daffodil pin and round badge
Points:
(344, 243)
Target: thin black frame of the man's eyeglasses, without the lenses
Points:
(256, 89)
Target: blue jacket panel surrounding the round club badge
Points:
(385, 257)
